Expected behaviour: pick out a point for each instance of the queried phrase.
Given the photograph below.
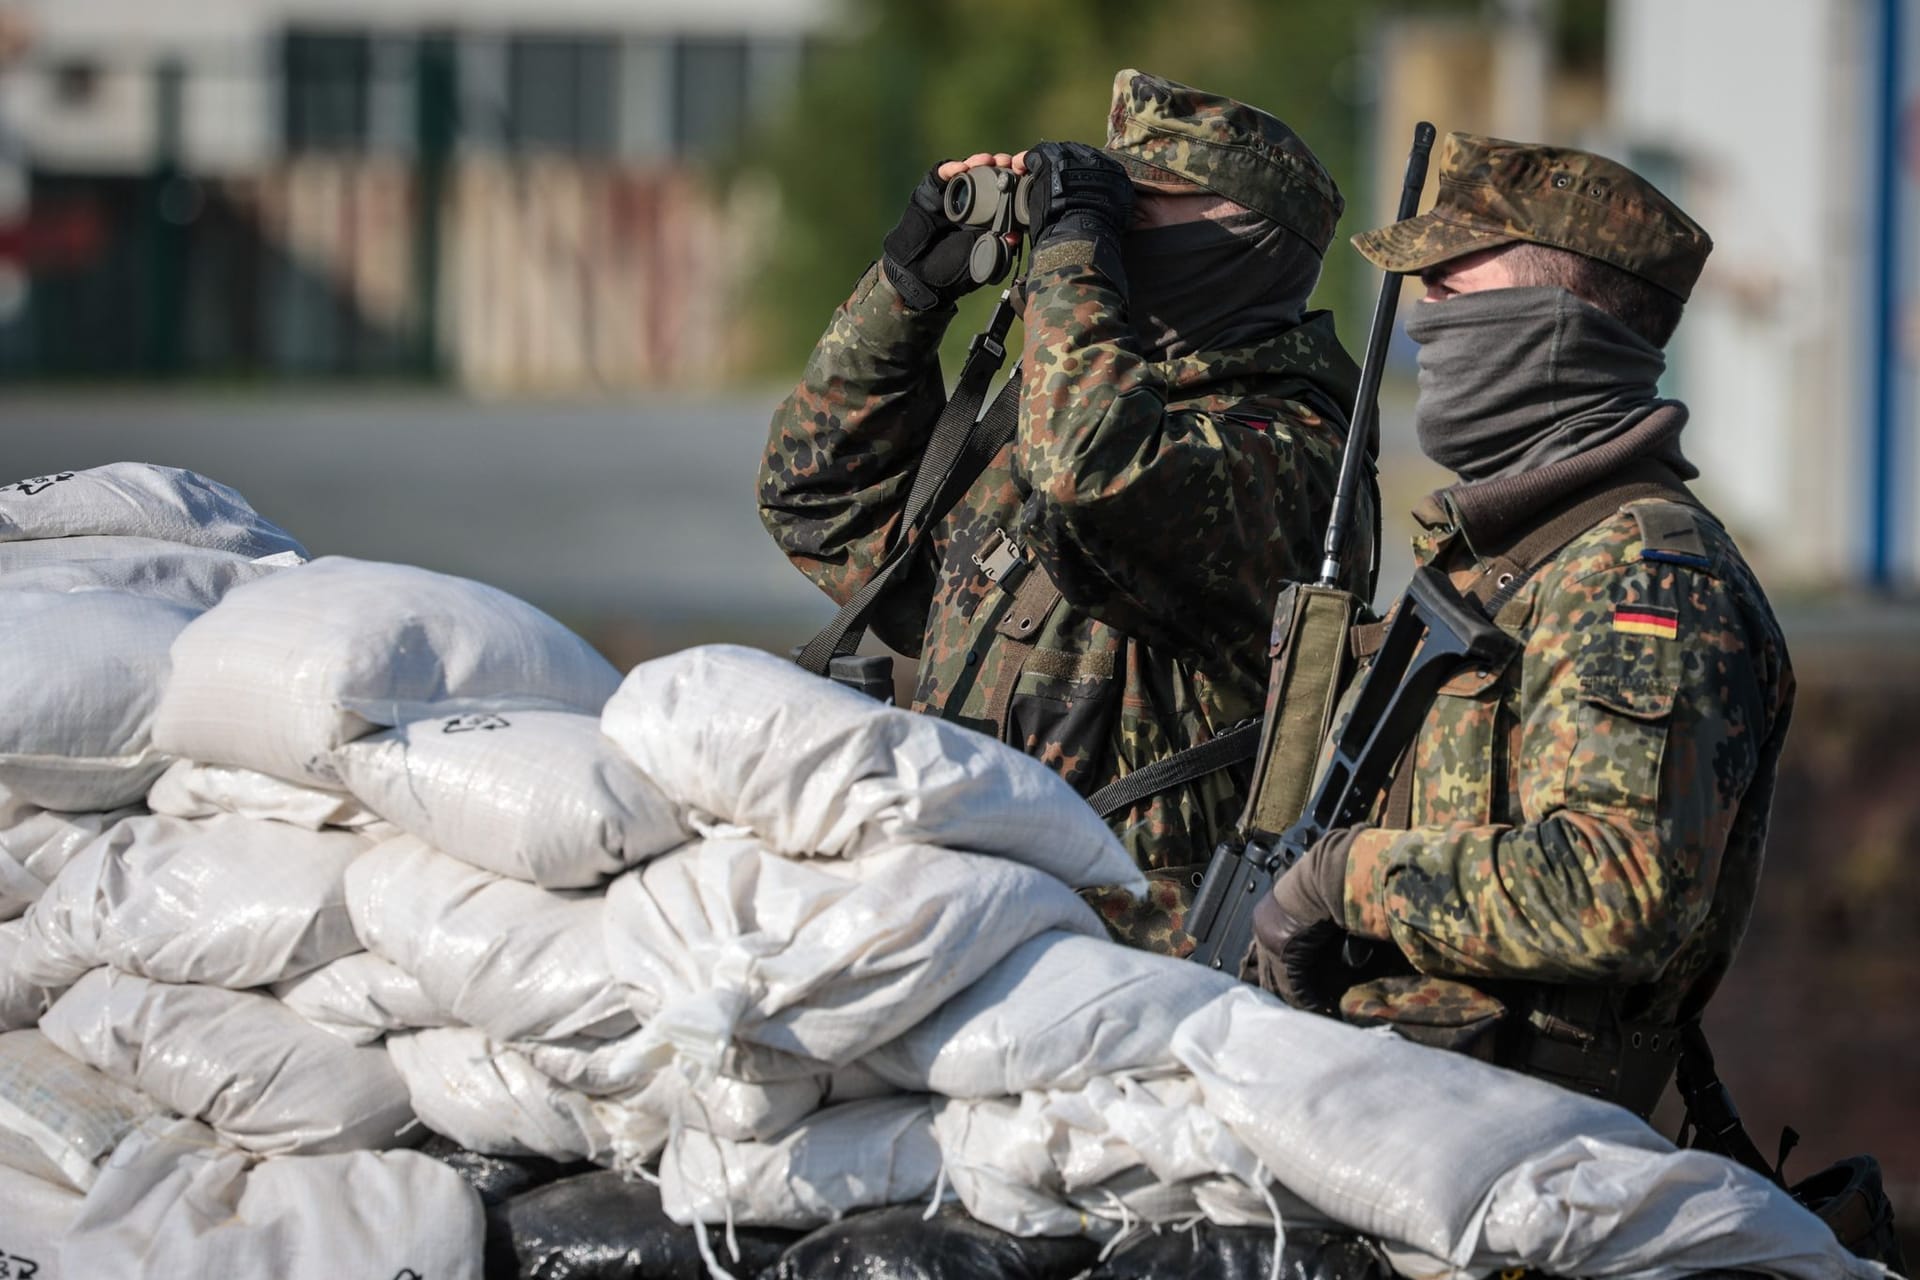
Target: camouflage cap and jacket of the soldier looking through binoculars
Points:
(1164, 502)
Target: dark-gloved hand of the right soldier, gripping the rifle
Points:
(1301, 934)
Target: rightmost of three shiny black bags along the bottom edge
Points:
(1243, 1254)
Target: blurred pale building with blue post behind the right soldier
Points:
(1792, 131)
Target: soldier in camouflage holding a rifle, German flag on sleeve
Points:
(1564, 859)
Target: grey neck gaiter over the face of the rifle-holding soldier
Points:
(1518, 379)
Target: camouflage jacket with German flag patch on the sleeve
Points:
(1595, 813)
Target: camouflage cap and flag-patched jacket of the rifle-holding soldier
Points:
(1589, 820)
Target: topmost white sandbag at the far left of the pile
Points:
(139, 500)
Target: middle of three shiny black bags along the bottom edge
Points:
(901, 1244)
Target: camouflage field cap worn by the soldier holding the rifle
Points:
(1502, 193)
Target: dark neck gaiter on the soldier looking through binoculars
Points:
(1214, 285)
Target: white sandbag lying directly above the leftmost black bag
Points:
(491, 1101)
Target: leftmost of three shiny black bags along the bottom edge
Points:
(606, 1227)
